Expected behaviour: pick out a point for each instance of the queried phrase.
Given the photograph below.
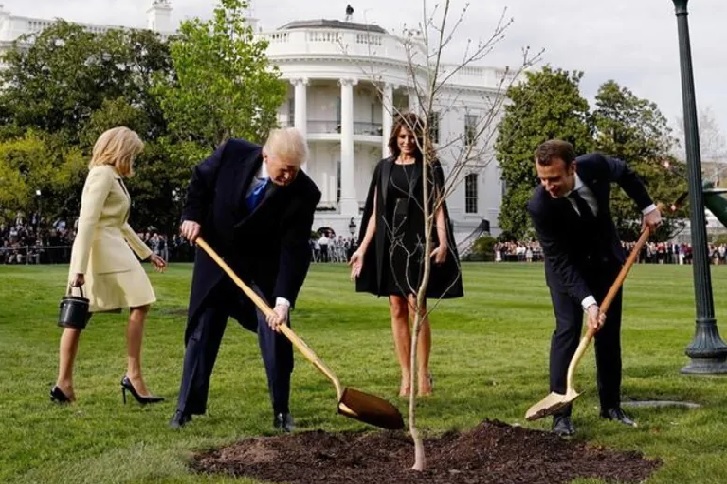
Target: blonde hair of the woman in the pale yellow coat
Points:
(117, 147)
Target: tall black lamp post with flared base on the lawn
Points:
(707, 351)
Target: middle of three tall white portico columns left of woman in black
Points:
(348, 205)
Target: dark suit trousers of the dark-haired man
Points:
(607, 342)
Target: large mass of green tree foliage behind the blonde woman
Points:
(65, 86)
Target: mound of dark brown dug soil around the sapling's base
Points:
(492, 452)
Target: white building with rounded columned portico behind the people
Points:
(346, 82)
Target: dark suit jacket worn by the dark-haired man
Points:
(574, 253)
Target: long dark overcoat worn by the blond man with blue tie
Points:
(267, 247)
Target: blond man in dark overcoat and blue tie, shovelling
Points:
(255, 208)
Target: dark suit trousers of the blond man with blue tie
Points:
(204, 340)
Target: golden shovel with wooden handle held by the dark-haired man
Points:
(555, 401)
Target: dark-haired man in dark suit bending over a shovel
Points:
(583, 255)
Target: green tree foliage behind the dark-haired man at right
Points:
(549, 105)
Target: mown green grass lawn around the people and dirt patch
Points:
(489, 360)
